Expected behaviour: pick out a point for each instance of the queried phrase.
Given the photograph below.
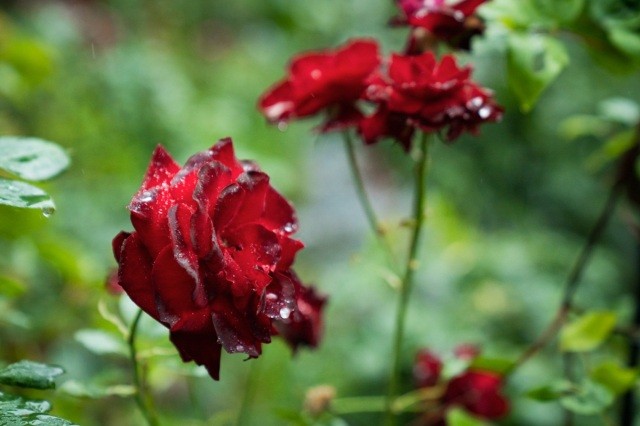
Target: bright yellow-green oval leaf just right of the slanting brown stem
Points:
(587, 332)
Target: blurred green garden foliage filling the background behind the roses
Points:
(508, 211)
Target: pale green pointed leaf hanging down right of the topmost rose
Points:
(534, 61)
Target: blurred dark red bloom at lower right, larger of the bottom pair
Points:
(479, 392)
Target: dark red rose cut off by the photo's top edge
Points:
(454, 24)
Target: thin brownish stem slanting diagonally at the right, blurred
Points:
(573, 280)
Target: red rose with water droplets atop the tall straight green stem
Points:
(420, 92)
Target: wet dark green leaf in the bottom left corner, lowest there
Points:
(16, 411)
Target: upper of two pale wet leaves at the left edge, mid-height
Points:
(31, 158)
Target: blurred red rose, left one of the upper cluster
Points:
(330, 81)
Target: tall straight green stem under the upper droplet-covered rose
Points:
(421, 170)
